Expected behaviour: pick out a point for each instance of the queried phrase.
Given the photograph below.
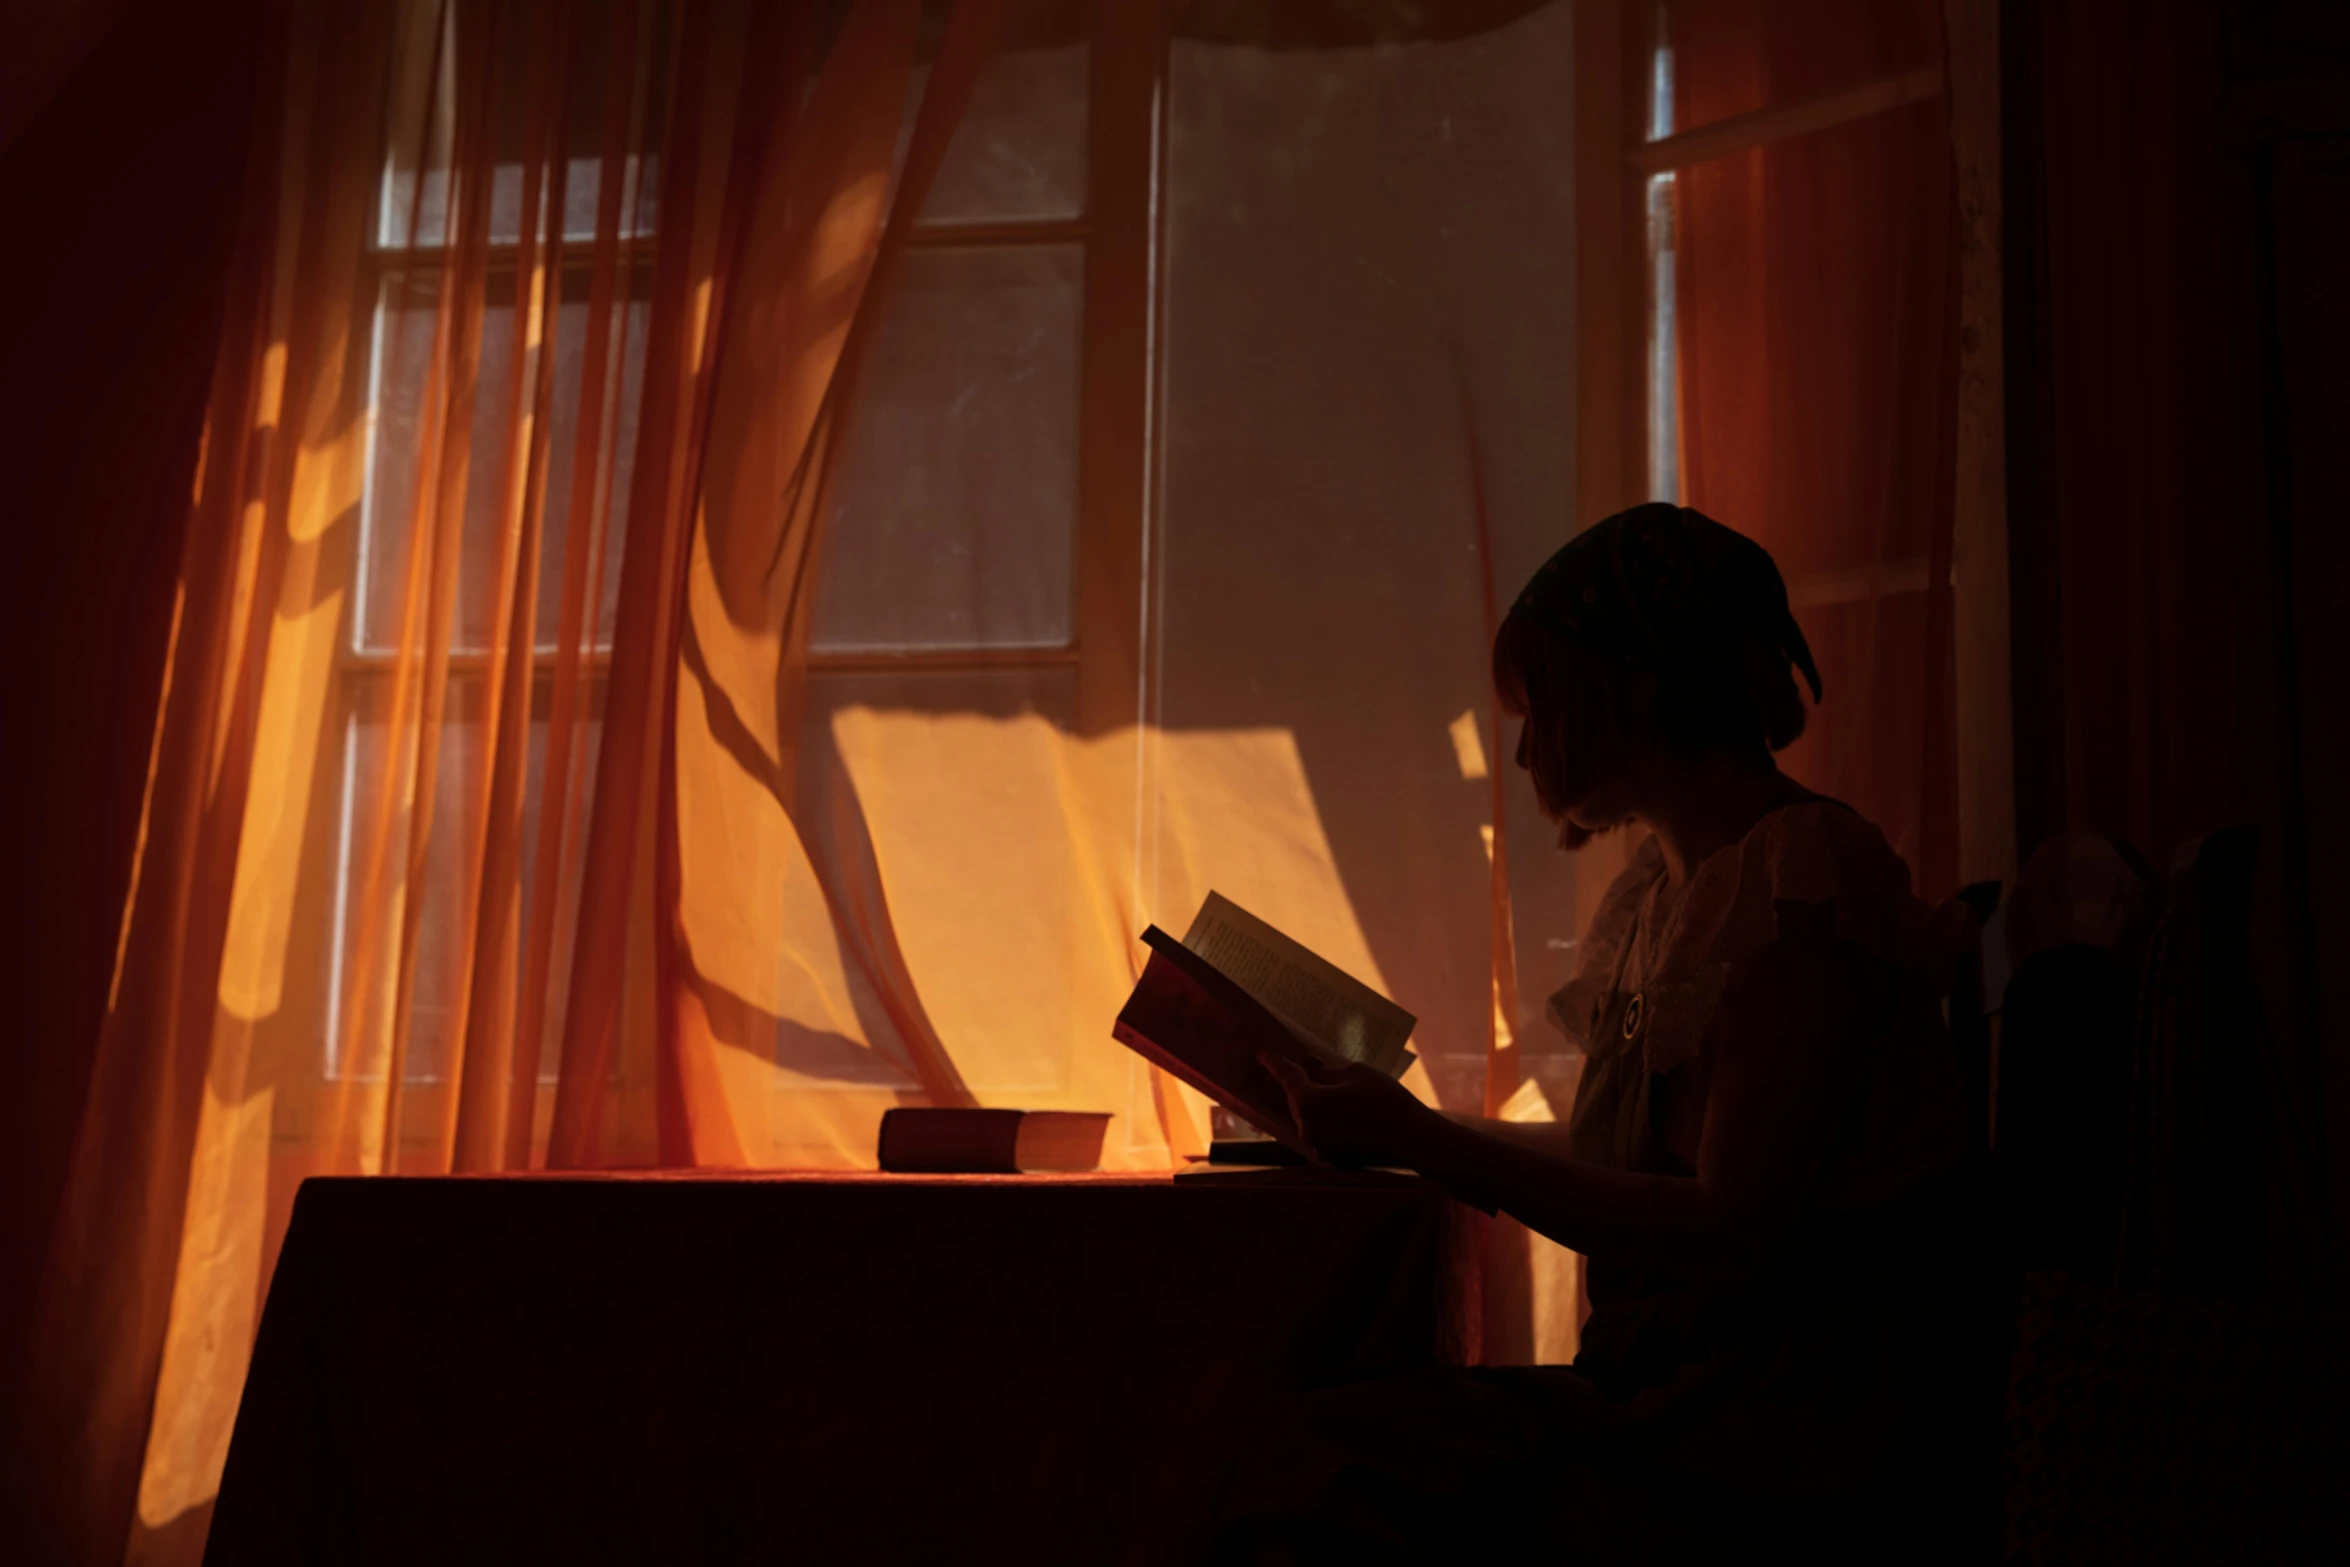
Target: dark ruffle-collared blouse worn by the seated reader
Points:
(1799, 1368)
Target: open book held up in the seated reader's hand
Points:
(1235, 988)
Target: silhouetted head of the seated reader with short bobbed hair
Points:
(1649, 643)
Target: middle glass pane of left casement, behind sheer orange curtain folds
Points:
(403, 356)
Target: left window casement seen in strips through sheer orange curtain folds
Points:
(586, 478)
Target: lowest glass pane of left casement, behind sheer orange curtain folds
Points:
(436, 1016)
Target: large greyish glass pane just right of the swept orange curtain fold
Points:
(955, 506)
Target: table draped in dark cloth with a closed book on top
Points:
(713, 1368)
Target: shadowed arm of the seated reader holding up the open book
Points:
(1773, 1110)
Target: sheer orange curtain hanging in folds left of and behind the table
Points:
(542, 330)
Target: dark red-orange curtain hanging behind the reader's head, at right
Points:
(1818, 314)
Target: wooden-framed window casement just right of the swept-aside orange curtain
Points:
(1002, 396)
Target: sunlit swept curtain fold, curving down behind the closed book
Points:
(819, 246)
